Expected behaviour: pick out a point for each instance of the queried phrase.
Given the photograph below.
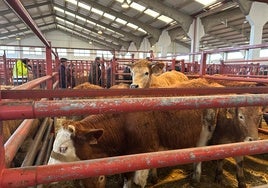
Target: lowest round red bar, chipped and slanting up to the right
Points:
(29, 176)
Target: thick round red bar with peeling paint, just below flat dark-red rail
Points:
(36, 109)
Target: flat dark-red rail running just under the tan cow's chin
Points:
(15, 94)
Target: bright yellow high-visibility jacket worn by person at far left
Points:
(20, 72)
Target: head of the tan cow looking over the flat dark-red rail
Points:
(142, 71)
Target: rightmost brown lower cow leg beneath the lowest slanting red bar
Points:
(240, 171)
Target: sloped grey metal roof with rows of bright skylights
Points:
(224, 21)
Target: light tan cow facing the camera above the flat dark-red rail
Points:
(143, 77)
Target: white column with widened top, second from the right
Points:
(196, 32)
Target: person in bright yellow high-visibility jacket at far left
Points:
(20, 72)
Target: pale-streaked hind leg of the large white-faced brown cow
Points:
(209, 120)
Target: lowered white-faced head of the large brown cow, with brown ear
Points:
(64, 150)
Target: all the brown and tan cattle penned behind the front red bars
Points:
(107, 135)
